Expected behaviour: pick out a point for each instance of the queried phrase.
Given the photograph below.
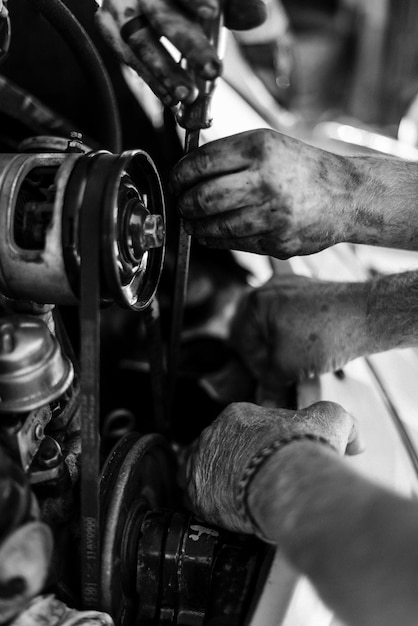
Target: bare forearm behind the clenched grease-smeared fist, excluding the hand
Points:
(384, 209)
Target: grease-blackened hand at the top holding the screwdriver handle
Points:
(138, 42)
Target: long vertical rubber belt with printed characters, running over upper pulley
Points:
(90, 226)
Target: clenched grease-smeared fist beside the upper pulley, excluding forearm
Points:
(263, 192)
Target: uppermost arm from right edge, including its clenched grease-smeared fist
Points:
(265, 192)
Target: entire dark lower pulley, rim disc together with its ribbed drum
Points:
(161, 565)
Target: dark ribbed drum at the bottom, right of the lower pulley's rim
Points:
(192, 574)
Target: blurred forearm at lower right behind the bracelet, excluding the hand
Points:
(354, 540)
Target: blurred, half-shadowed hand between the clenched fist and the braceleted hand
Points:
(295, 327)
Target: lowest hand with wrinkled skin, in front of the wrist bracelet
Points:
(224, 449)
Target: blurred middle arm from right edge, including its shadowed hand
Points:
(294, 327)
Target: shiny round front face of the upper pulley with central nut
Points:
(133, 230)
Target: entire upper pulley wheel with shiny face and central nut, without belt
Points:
(132, 228)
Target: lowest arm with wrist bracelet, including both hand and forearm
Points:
(355, 540)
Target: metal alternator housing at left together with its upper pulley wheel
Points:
(41, 200)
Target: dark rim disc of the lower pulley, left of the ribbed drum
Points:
(139, 475)
